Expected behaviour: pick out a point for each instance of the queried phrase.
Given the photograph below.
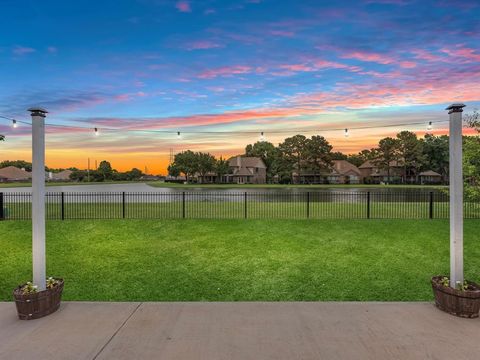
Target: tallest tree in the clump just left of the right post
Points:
(410, 154)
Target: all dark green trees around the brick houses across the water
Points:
(314, 155)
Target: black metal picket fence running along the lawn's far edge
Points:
(209, 205)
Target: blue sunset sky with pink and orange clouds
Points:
(277, 66)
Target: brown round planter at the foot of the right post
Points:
(457, 302)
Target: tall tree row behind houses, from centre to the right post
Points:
(315, 156)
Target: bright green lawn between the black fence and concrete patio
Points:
(233, 260)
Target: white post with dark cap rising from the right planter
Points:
(456, 195)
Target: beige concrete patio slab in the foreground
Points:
(325, 330)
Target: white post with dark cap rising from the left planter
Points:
(38, 196)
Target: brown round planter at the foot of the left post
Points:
(40, 304)
